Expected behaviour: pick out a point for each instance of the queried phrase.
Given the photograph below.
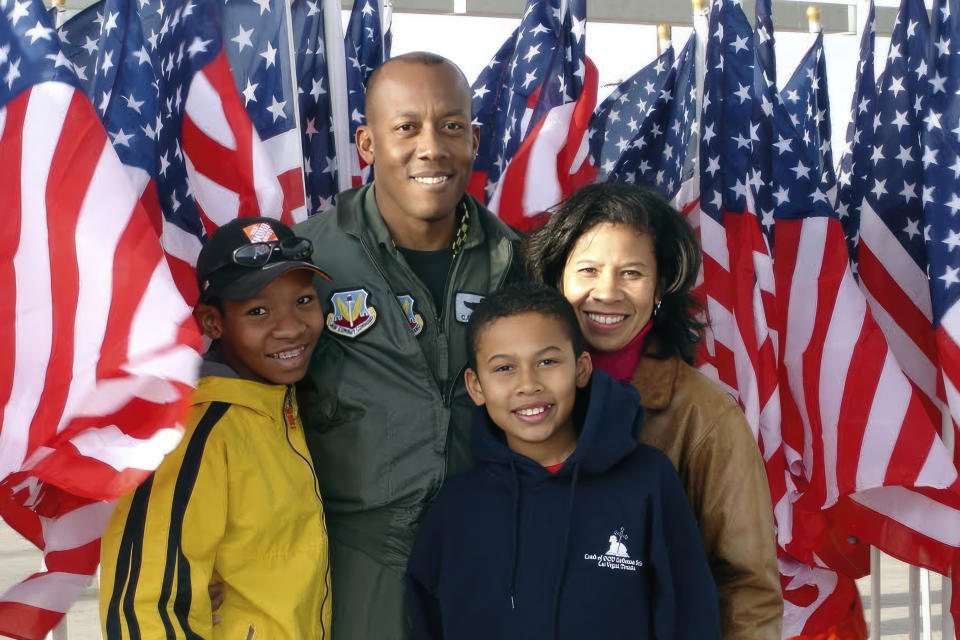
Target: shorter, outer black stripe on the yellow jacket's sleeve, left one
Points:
(128, 563)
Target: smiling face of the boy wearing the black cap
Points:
(269, 337)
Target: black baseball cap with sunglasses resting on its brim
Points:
(225, 269)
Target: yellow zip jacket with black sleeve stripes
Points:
(236, 503)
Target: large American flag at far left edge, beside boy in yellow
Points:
(93, 384)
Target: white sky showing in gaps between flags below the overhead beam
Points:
(619, 50)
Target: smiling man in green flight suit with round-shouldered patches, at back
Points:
(385, 412)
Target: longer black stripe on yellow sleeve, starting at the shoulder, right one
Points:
(175, 560)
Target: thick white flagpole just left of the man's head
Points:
(339, 108)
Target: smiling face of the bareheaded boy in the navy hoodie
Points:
(527, 376)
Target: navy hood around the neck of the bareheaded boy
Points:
(607, 430)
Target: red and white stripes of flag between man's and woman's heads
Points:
(552, 162)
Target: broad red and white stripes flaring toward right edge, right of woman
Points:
(864, 423)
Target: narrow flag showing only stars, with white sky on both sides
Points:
(807, 100)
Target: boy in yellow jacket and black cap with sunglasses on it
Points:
(237, 501)
